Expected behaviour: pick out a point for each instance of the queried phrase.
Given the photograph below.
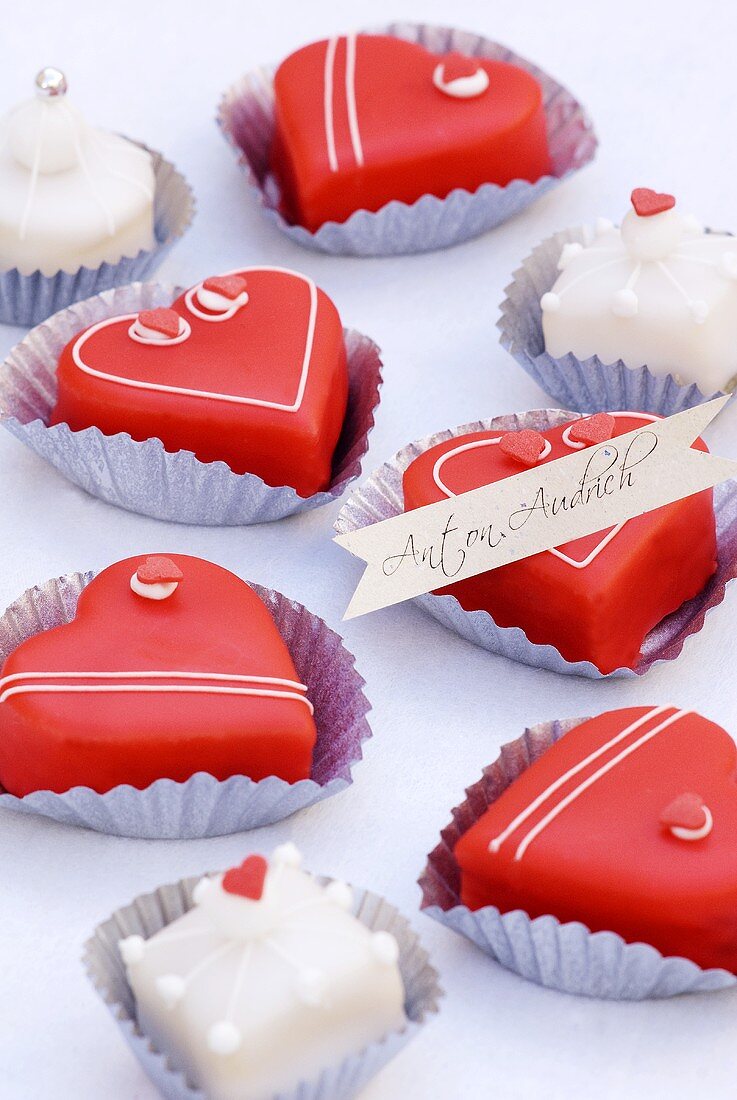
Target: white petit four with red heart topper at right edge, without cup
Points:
(658, 292)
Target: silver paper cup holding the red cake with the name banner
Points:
(382, 497)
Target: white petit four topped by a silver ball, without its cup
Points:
(71, 196)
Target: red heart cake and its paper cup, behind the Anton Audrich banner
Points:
(610, 604)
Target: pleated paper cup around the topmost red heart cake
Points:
(246, 116)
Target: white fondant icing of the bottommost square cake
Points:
(267, 1005)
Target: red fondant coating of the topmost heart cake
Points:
(415, 139)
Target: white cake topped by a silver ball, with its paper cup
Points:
(81, 210)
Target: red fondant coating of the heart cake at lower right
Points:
(606, 860)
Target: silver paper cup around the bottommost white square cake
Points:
(150, 914)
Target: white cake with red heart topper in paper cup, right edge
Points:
(641, 316)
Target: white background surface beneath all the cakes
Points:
(659, 81)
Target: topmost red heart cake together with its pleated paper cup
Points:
(402, 140)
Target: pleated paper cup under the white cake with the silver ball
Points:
(29, 300)
